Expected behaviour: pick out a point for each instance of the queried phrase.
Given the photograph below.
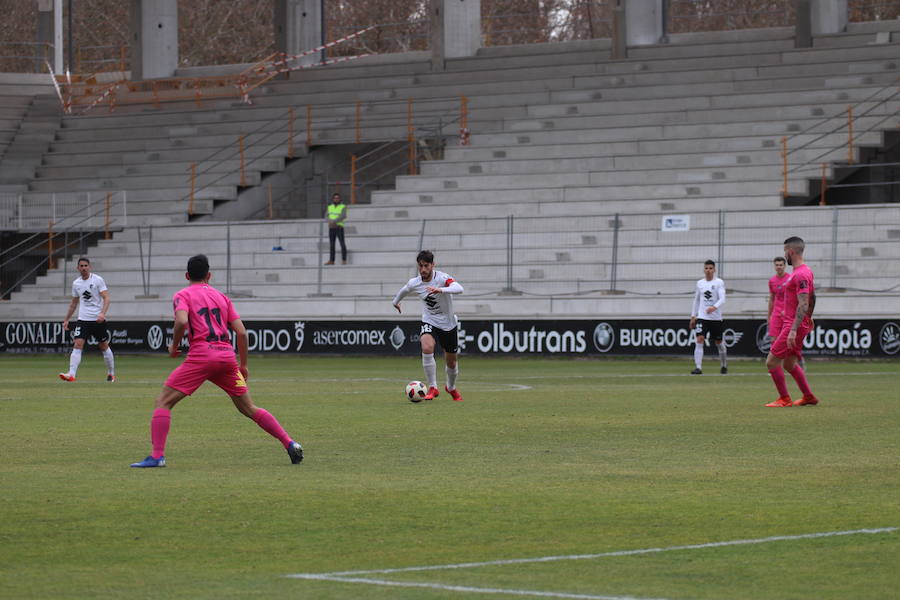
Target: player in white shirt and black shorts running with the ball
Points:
(435, 288)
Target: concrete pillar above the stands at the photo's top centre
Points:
(455, 30)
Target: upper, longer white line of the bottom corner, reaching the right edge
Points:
(517, 561)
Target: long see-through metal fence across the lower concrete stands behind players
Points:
(641, 254)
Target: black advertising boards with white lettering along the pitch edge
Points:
(513, 337)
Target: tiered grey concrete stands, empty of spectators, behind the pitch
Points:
(571, 156)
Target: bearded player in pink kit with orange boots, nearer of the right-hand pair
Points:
(799, 302)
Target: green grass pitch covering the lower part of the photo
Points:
(545, 457)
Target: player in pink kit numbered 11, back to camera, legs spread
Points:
(207, 314)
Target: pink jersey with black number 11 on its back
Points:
(209, 313)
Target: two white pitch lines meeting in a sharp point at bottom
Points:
(352, 576)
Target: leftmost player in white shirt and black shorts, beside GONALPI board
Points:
(90, 295)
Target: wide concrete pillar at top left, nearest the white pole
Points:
(154, 39)
